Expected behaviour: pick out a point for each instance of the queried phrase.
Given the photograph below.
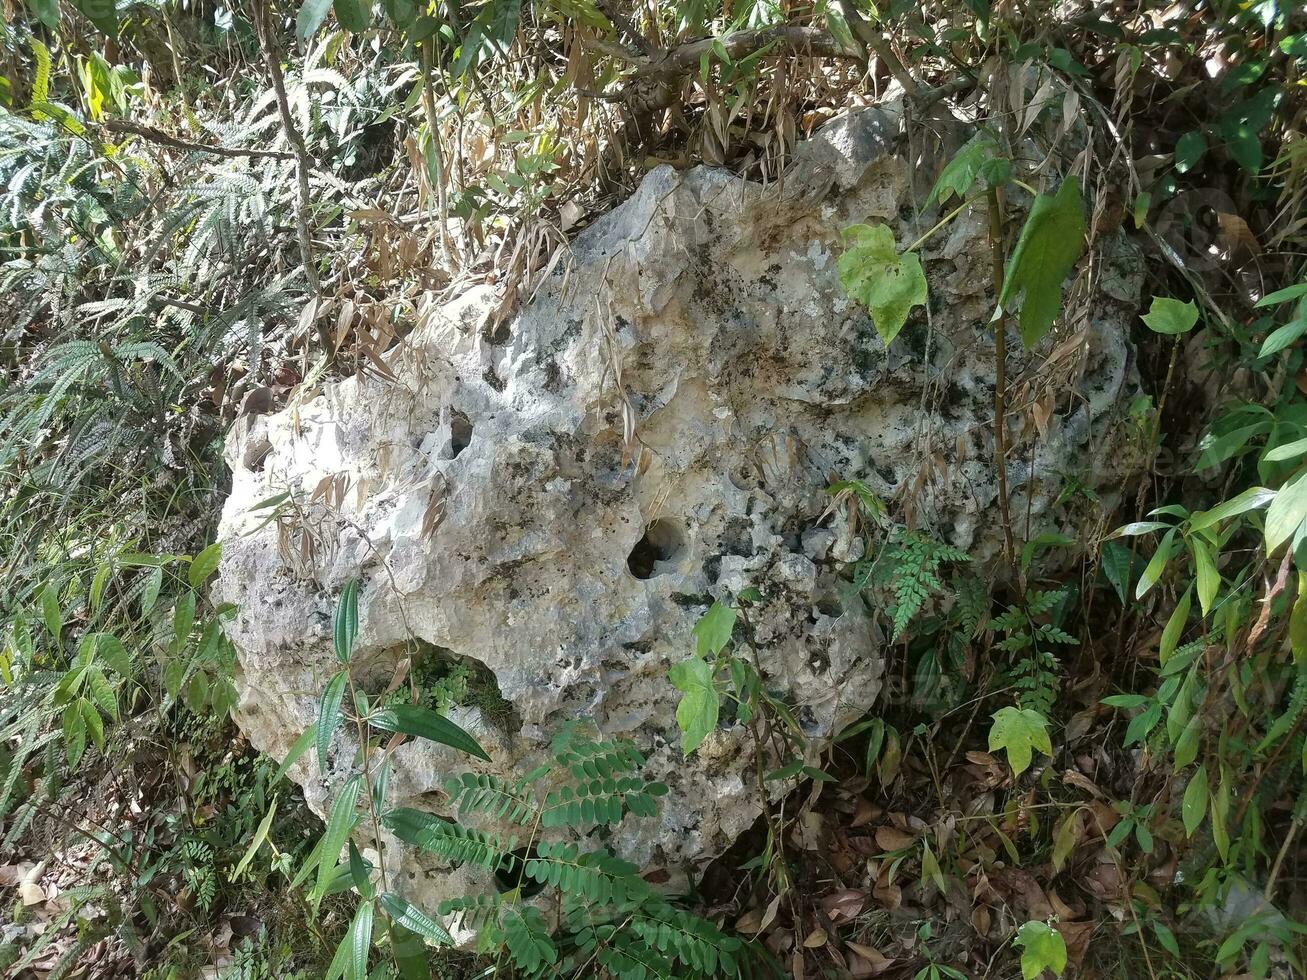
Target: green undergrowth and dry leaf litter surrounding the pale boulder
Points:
(1093, 747)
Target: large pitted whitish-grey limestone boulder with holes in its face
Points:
(563, 500)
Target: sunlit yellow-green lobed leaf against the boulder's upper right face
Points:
(874, 274)
